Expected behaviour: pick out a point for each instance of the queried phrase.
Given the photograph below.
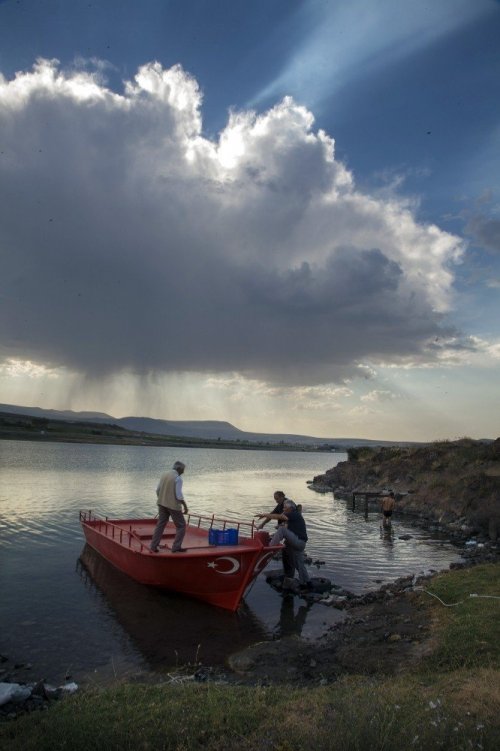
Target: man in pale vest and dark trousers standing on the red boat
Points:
(171, 503)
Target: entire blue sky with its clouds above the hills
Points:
(280, 213)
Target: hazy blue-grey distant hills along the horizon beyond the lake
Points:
(208, 429)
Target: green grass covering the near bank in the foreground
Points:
(451, 701)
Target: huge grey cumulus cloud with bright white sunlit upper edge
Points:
(132, 242)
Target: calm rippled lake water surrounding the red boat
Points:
(68, 612)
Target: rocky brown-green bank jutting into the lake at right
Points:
(451, 483)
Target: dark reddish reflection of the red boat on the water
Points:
(167, 629)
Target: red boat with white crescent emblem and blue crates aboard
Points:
(218, 574)
